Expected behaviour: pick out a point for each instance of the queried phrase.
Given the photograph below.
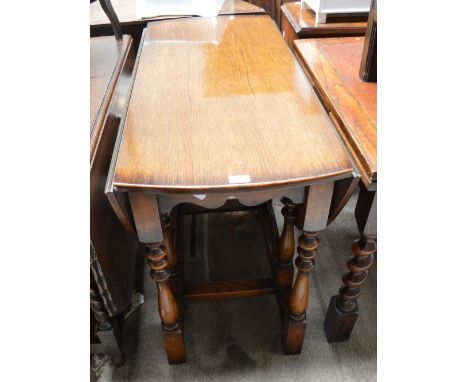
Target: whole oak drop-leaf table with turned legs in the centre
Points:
(234, 121)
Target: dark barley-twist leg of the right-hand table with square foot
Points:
(343, 309)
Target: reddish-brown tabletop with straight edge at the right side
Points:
(333, 66)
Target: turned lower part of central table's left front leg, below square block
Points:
(168, 311)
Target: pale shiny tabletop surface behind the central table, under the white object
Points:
(126, 11)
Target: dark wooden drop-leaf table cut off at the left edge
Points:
(113, 249)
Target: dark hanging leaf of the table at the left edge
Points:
(114, 249)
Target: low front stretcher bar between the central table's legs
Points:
(229, 289)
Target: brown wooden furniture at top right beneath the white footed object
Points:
(299, 21)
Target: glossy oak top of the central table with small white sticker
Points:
(242, 107)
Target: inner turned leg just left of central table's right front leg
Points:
(285, 270)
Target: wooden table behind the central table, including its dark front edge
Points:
(131, 24)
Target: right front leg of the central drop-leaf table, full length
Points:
(317, 205)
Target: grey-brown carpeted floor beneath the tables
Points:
(239, 339)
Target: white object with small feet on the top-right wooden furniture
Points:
(323, 7)
